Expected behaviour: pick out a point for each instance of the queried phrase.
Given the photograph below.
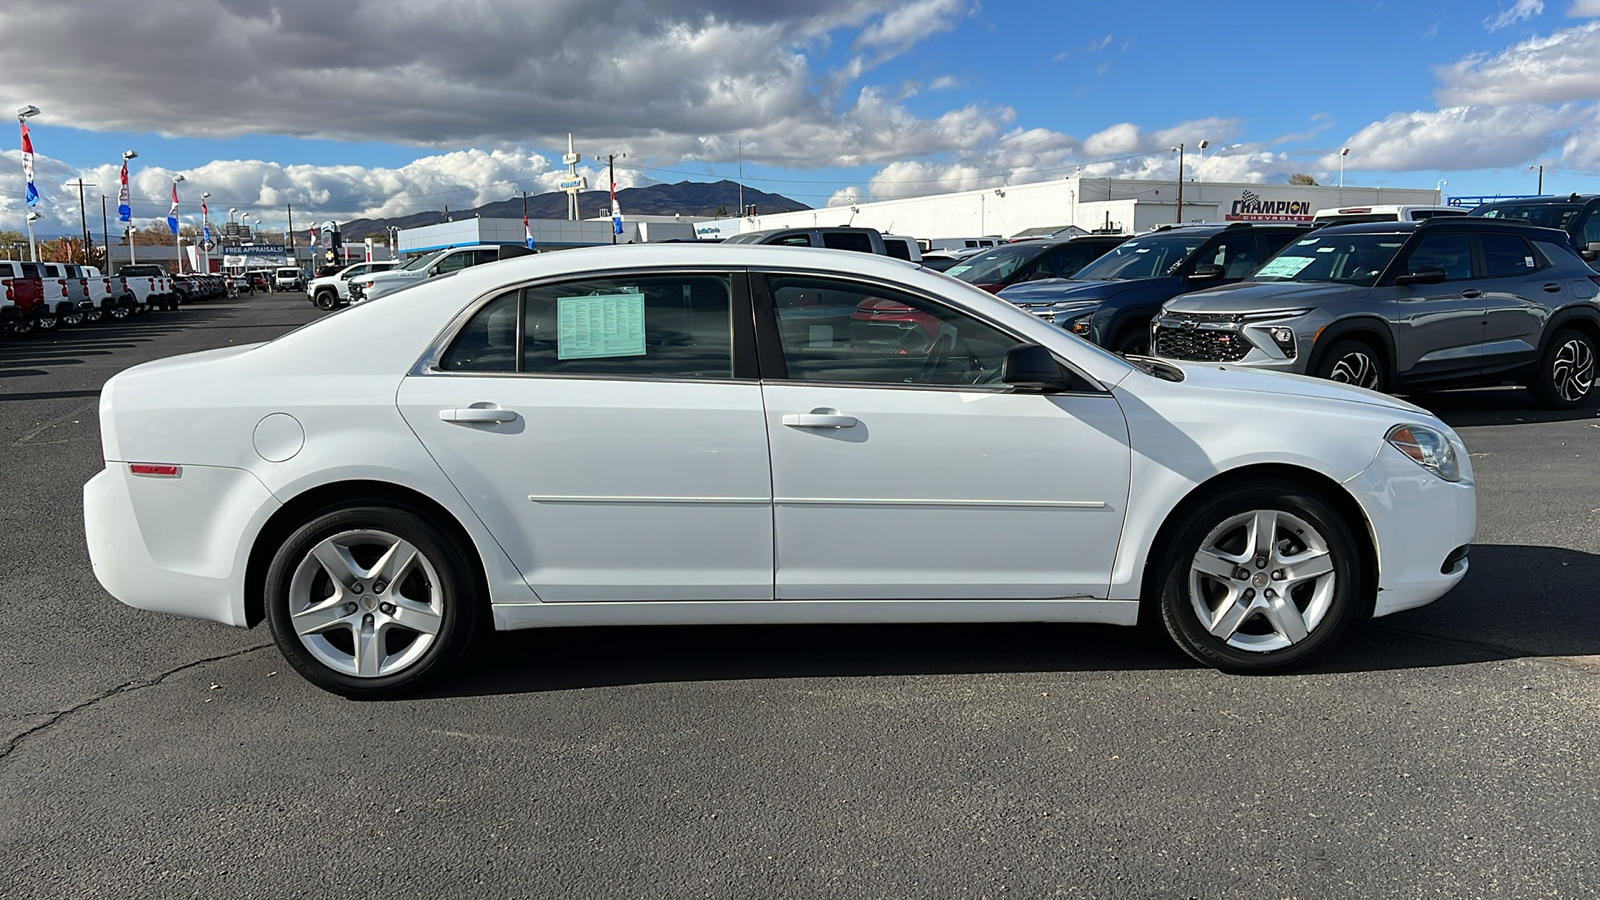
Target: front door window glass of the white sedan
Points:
(855, 334)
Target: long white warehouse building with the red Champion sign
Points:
(1092, 204)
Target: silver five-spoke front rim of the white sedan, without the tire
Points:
(1262, 581)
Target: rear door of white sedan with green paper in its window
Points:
(598, 428)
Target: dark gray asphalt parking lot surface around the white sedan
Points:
(1447, 752)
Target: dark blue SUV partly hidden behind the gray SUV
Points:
(1113, 300)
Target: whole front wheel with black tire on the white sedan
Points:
(1258, 640)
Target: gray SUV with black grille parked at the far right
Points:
(1396, 307)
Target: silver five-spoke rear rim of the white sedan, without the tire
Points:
(367, 603)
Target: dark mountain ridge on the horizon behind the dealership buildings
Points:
(686, 198)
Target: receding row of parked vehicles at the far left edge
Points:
(44, 297)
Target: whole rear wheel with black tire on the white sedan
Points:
(297, 584)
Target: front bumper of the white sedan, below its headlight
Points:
(1420, 524)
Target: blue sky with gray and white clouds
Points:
(383, 108)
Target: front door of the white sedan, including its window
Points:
(905, 470)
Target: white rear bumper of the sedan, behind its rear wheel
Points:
(175, 545)
